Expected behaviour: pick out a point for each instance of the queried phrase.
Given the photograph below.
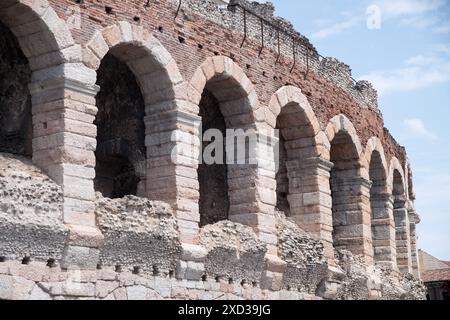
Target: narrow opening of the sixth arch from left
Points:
(381, 207)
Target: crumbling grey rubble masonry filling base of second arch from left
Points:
(139, 233)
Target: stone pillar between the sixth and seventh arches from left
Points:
(383, 230)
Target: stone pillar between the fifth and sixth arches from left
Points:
(351, 216)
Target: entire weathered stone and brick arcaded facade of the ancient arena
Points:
(123, 89)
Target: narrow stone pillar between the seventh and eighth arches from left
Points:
(403, 239)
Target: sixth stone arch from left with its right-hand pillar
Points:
(381, 205)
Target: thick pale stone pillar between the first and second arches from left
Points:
(63, 146)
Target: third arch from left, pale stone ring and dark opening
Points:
(227, 189)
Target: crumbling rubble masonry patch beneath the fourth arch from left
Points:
(306, 263)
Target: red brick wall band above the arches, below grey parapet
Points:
(326, 98)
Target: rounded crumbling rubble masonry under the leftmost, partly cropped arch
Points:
(30, 211)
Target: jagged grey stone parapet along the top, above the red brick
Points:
(258, 21)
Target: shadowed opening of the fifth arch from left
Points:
(348, 225)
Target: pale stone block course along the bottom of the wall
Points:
(38, 282)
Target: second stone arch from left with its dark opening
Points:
(158, 79)
